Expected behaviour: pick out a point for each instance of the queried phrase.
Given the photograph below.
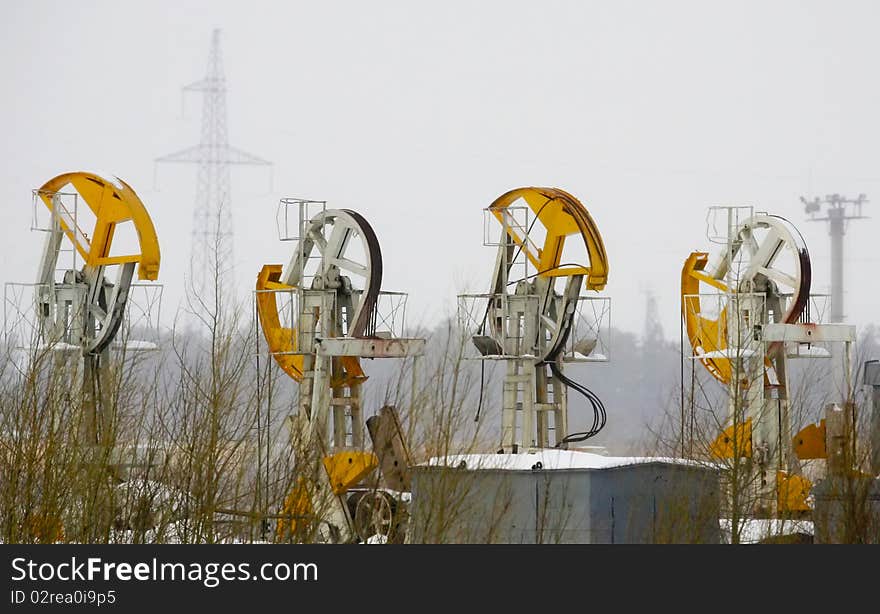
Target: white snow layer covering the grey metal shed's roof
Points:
(551, 459)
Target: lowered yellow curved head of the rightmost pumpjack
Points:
(705, 334)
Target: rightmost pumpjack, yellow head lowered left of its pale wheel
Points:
(761, 282)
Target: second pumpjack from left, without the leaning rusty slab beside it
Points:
(322, 350)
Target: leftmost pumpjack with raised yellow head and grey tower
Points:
(82, 311)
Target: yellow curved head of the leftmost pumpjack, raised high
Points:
(113, 202)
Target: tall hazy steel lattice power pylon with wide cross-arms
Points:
(211, 262)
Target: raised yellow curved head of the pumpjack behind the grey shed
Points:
(563, 216)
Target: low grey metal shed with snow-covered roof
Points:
(562, 496)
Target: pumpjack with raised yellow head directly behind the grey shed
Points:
(531, 313)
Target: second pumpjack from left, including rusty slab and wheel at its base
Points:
(332, 288)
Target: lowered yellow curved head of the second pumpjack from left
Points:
(282, 340)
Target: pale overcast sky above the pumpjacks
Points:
(419, 114)
